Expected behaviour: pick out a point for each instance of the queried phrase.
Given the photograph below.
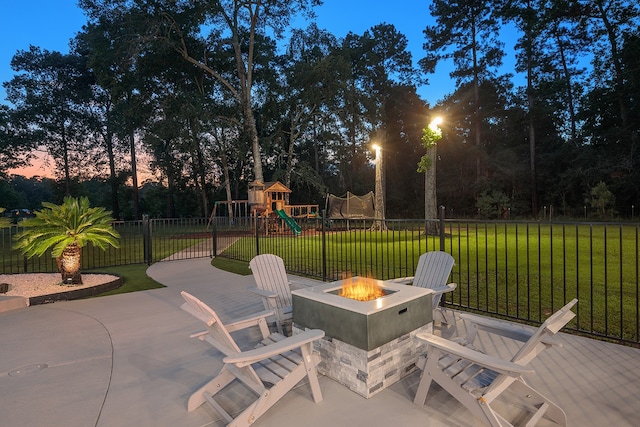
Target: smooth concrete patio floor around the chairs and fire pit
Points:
(127, 360)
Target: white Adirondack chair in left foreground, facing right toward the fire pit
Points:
(270, 370)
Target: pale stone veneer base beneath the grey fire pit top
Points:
(369, 372)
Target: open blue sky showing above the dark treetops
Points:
(50, 24)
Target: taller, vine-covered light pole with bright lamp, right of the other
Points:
(430, 137)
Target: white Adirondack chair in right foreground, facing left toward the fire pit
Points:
(476, 379)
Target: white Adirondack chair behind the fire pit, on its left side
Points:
(273, 287)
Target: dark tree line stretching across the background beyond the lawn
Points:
(216, 94)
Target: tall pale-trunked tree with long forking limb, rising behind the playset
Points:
(217, 26)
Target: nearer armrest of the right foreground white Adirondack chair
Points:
(499, 365)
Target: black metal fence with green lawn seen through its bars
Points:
(518, 270)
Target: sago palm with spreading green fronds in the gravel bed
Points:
(66, 229)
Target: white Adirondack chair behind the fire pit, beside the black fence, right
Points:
(432, 272)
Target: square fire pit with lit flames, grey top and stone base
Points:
(370, 344)
